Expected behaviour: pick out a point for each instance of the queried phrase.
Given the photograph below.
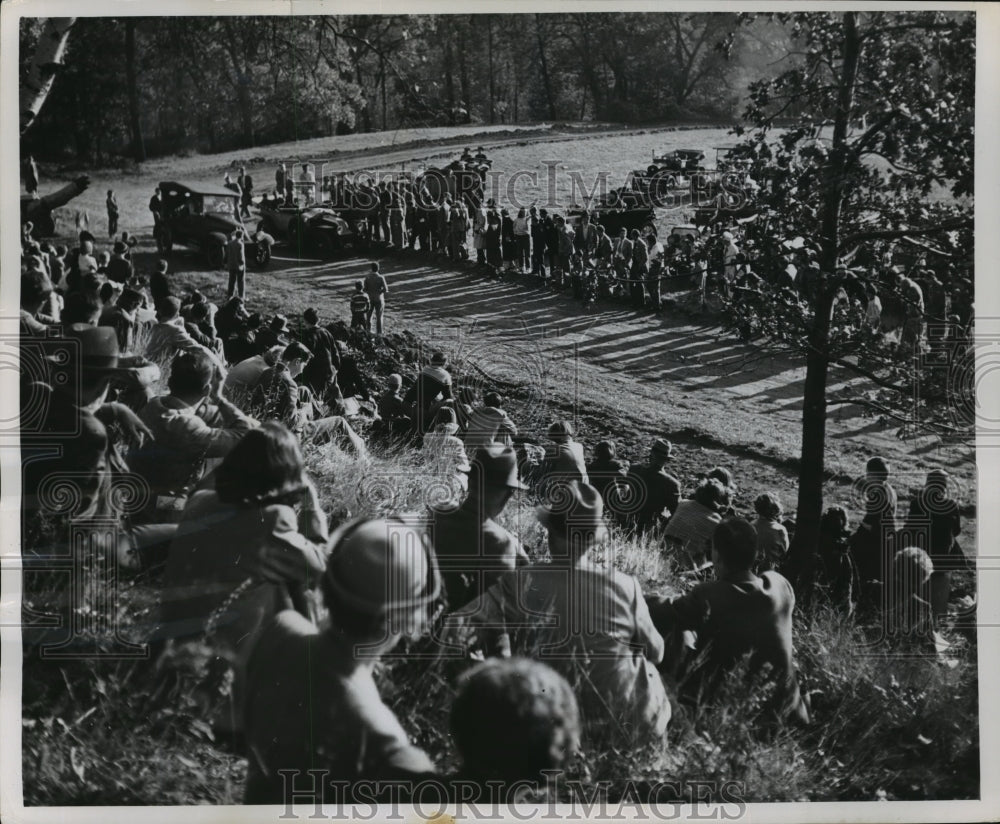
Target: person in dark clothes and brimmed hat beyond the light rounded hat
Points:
(472, 548)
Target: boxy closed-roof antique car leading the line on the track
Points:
(204, 216)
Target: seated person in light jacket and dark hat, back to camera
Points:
(589, 622)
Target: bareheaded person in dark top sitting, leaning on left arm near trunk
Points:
(737, 615)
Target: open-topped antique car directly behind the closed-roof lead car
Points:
(319, 228)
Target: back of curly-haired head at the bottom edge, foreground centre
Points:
(511, 720)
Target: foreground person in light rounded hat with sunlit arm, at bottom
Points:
(312, 703)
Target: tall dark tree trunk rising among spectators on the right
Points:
(811, 467)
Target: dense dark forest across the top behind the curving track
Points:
(140, 87)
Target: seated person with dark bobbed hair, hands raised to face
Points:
(243, 551)
